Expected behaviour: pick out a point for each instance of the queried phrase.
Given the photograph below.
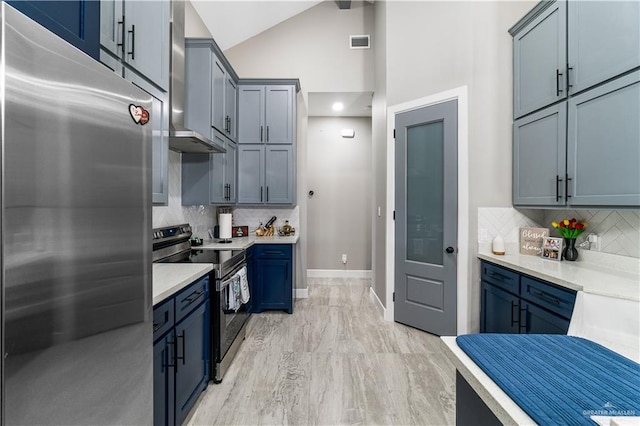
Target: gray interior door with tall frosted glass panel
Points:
(426, 218)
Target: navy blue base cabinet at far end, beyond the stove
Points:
(273, 273)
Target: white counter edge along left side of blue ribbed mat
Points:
(500, 404)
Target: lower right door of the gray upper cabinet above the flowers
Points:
(604, 144)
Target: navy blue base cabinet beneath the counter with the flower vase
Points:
(517, 304)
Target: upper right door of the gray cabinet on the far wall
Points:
(279, 115)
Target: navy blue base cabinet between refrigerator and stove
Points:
(181, 352)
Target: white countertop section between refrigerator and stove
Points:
(169, 278)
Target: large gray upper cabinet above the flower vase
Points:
(576, 135)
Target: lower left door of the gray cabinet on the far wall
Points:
(250, 174)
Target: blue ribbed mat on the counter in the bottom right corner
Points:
(558, 379)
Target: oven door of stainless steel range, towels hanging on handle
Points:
(231, 317)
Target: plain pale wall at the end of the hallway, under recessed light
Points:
(339, 173)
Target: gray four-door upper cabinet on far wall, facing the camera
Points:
(266, 142)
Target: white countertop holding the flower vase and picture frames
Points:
(579, 276)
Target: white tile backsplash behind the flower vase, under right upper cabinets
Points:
(618, 230)
